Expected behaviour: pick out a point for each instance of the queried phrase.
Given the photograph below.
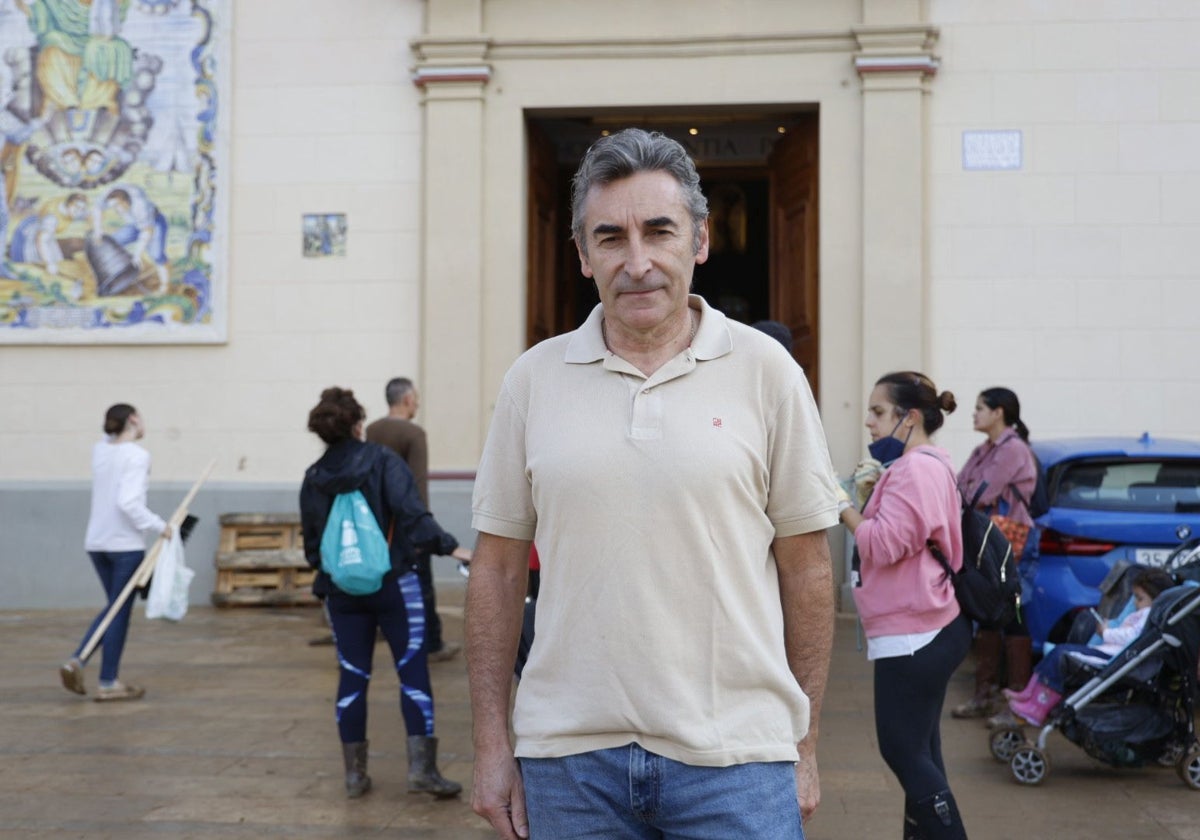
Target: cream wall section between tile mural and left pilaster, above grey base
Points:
(325, 119)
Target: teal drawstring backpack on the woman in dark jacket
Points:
(353, 549)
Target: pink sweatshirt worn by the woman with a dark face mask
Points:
(905, 589)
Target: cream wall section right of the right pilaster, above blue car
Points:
(1076, 280)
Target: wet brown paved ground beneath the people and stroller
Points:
(236, 740)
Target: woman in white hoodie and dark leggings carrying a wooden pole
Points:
(116, 542)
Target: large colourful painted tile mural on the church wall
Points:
(112, 220)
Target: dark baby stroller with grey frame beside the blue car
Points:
(1135, 710)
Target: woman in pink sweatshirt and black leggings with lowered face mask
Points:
(916, 634)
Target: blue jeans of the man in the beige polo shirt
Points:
(629, 794)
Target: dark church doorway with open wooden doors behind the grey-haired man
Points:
(759, 171)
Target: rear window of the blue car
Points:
(1130, 485)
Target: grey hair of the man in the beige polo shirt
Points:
(631, 152)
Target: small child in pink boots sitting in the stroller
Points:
(1046, 687)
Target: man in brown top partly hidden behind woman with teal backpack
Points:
(398, 433)
